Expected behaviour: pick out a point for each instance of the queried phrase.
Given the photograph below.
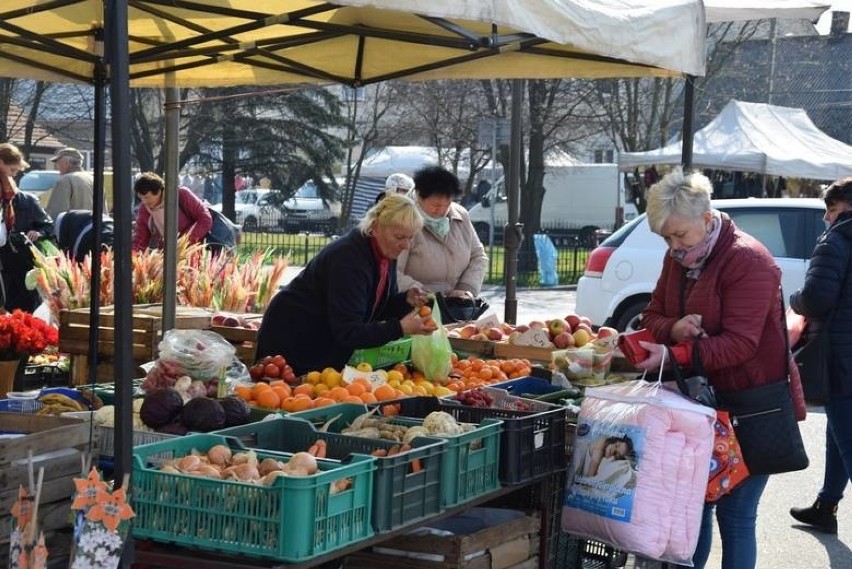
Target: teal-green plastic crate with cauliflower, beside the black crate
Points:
(471, 462)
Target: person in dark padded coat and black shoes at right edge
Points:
(827, 290)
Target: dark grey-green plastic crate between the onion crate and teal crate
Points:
(400, 496)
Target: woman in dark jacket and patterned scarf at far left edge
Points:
(23, 222)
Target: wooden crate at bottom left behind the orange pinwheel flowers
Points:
(56, 444)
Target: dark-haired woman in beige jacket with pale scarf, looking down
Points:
(447, 256)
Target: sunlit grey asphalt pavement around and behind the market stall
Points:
(782, 544)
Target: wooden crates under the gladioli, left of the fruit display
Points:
(147, 331)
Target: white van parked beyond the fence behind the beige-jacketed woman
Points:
(579, 199)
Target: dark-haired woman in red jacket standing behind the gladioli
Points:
(194, 219)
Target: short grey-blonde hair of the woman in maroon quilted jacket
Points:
(685, 195)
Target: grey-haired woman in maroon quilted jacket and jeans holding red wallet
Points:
(723, 286)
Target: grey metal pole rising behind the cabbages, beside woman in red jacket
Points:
(172, 108)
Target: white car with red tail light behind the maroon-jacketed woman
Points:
(622, 272)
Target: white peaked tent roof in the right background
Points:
(761, 138)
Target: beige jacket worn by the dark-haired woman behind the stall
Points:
(457, 262)
